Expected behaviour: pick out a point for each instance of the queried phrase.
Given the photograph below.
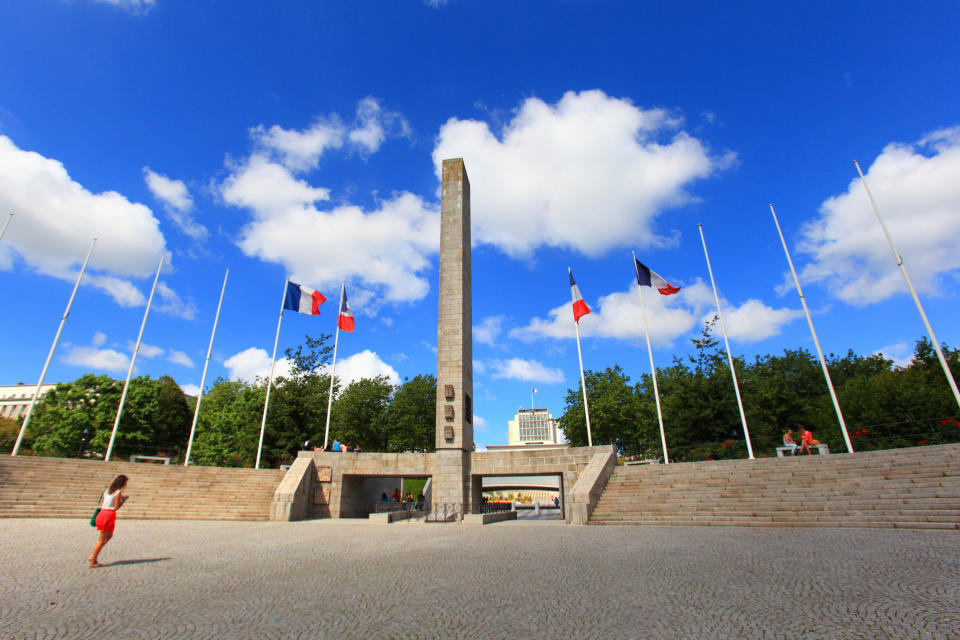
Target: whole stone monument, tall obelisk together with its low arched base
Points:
(338, 485)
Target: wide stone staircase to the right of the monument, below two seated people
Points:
(917, 488)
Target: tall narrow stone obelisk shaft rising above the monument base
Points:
(451, 480)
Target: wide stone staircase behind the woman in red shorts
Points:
(35, 487)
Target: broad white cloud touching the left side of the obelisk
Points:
(385, 251)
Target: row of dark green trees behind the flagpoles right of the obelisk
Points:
(903, 405)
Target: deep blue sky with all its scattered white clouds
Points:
(303, 140)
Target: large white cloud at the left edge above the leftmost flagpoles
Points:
(57, 218)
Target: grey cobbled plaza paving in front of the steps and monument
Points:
(510, 580)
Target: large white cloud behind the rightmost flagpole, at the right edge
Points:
(917, 191)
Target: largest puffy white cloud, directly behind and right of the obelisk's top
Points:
(555, 168)
